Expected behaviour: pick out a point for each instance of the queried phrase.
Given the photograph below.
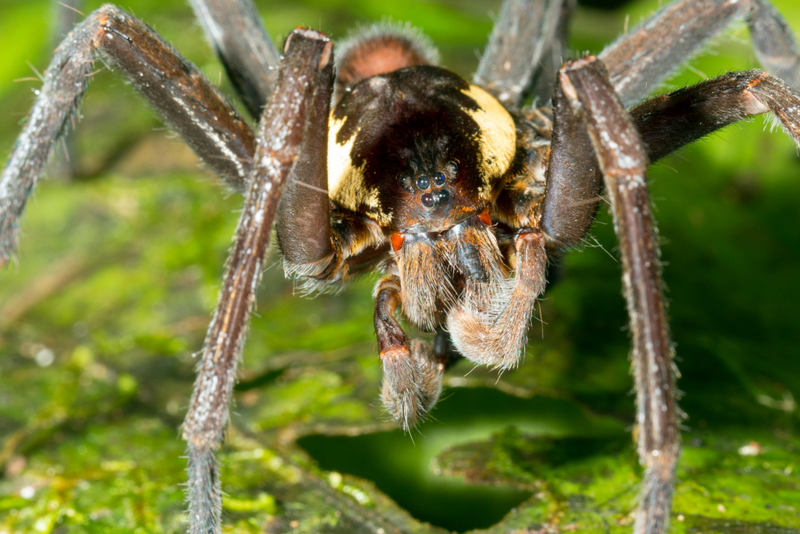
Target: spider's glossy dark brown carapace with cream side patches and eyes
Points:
(418, 149)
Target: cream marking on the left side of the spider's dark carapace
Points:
(346, 182)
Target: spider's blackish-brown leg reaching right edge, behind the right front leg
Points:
(673, 120)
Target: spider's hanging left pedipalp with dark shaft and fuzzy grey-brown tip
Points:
(412, 378)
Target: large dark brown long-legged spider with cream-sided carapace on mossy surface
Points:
(459, 192)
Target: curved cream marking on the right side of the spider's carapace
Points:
(498, 140)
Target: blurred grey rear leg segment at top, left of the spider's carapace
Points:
(236, 33)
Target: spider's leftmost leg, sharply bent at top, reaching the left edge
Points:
(187, 101)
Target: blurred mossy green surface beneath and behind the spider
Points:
(117, 274)
